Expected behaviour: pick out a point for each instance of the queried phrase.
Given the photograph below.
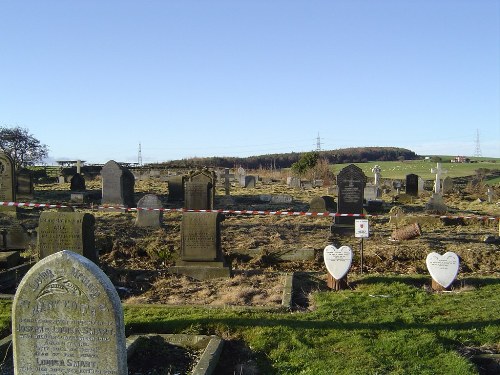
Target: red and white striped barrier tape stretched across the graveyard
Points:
(237, 212)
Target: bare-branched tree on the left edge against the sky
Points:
(22, 146)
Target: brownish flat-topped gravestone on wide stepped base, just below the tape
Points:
(201, 254)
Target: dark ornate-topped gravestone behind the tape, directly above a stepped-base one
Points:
(199, 191)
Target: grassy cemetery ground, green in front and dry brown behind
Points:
(388, 321)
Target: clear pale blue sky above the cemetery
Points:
(92, 79)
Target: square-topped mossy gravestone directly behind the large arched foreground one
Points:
(66, 231)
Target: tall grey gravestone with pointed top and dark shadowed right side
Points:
(117, 185)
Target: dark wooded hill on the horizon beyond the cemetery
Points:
(344, 155)
